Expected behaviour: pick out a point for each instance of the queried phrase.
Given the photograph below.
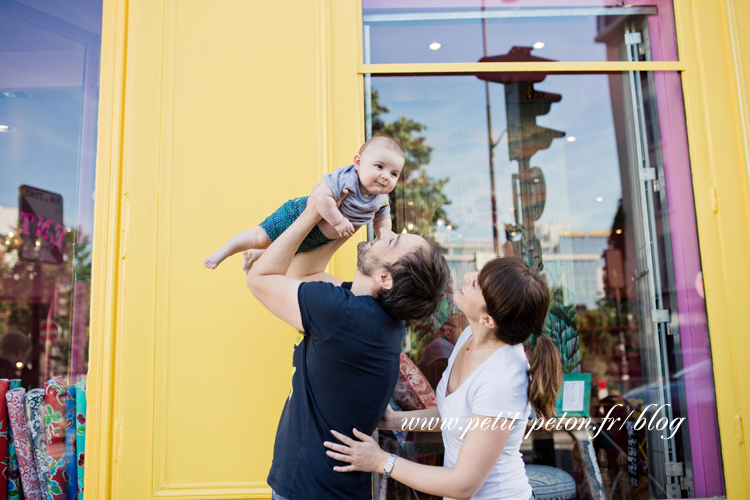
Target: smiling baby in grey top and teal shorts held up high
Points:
(373, 175)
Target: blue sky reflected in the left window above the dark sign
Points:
(43, 103)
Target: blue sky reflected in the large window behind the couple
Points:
(454, 111)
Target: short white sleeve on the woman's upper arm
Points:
(501, 392)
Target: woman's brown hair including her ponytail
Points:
(517, 299)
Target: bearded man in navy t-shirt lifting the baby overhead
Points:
(346, 361)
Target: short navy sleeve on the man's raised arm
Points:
(322, 307)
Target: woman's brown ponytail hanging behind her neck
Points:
(546, 376)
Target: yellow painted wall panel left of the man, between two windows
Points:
(212, 115)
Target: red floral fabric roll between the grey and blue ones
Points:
(55, 401)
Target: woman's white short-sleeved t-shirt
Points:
(498, 387)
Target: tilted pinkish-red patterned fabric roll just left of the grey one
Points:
(17, 413)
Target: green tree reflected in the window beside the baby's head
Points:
(418, 200)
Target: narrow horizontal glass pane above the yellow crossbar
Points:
(450, 32)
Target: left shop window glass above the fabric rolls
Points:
(49, 53)
